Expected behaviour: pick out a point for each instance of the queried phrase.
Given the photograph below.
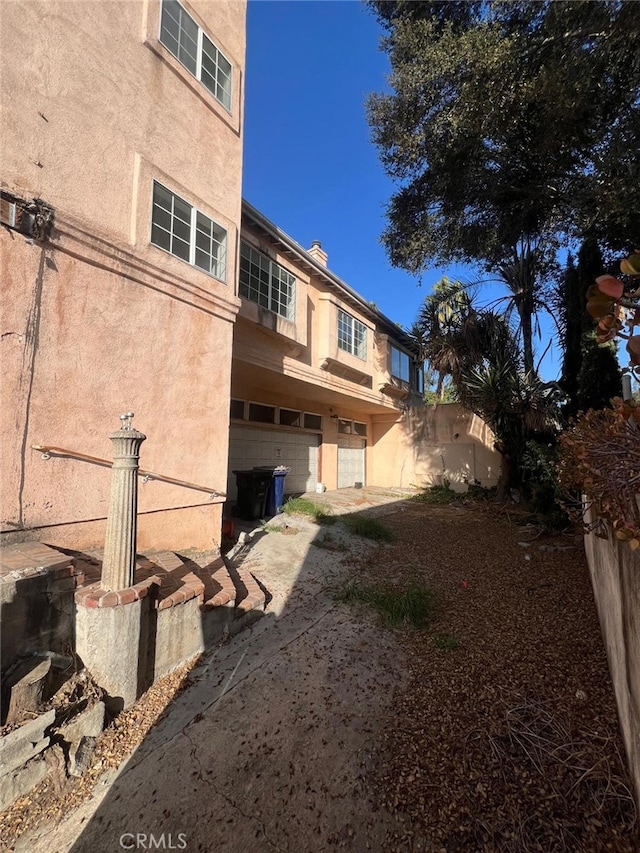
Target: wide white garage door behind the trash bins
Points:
(252, 446)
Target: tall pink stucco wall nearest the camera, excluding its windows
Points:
(98, 321)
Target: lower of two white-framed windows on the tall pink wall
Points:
(181, 229)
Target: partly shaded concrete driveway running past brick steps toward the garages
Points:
(271, 748)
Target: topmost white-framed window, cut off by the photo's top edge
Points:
(180, 34)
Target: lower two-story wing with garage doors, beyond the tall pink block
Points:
(316, 368)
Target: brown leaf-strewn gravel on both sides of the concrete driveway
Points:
(505, 737)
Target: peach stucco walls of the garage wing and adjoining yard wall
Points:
(298, 365)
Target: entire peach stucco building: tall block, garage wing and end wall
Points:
(136, 280)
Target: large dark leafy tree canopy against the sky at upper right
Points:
(509, 125)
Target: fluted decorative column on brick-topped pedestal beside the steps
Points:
(118, 567)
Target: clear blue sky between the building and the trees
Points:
(309, 165)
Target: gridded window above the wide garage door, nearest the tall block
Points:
(266, 282)
